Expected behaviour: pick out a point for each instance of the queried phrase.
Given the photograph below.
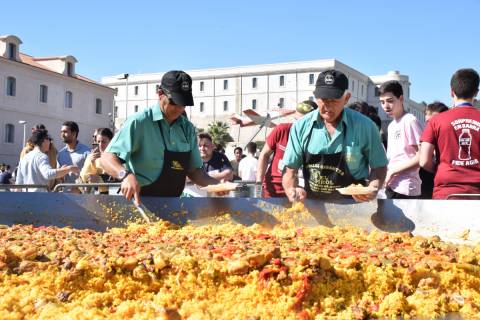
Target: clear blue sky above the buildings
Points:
(427, 40)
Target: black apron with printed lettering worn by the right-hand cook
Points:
(324, 173)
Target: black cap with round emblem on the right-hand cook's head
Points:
(331, 84)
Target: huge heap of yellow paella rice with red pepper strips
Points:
(231, 271)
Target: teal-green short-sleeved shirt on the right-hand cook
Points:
(356, 134)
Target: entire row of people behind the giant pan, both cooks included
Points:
(331, 144)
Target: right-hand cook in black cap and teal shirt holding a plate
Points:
(336, 146)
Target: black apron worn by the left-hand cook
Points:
(171, 181)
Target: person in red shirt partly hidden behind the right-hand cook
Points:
(271, 177)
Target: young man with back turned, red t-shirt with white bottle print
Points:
(454, 136)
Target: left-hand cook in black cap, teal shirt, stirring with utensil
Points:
(158, 146)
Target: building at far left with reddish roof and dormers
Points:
(48, 91)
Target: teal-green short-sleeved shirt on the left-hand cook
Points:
(141, 146)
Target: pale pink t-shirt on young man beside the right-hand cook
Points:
(403, 135)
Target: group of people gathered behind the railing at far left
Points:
(42, 166)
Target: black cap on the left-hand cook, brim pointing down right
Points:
(177, 85)
